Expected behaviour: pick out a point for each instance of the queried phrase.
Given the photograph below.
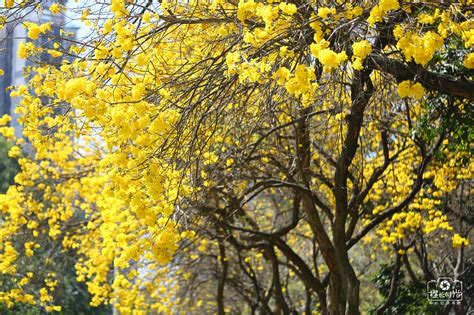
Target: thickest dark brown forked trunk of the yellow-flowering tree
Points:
(343, 291)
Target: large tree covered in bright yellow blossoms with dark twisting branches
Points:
(258, 149)
